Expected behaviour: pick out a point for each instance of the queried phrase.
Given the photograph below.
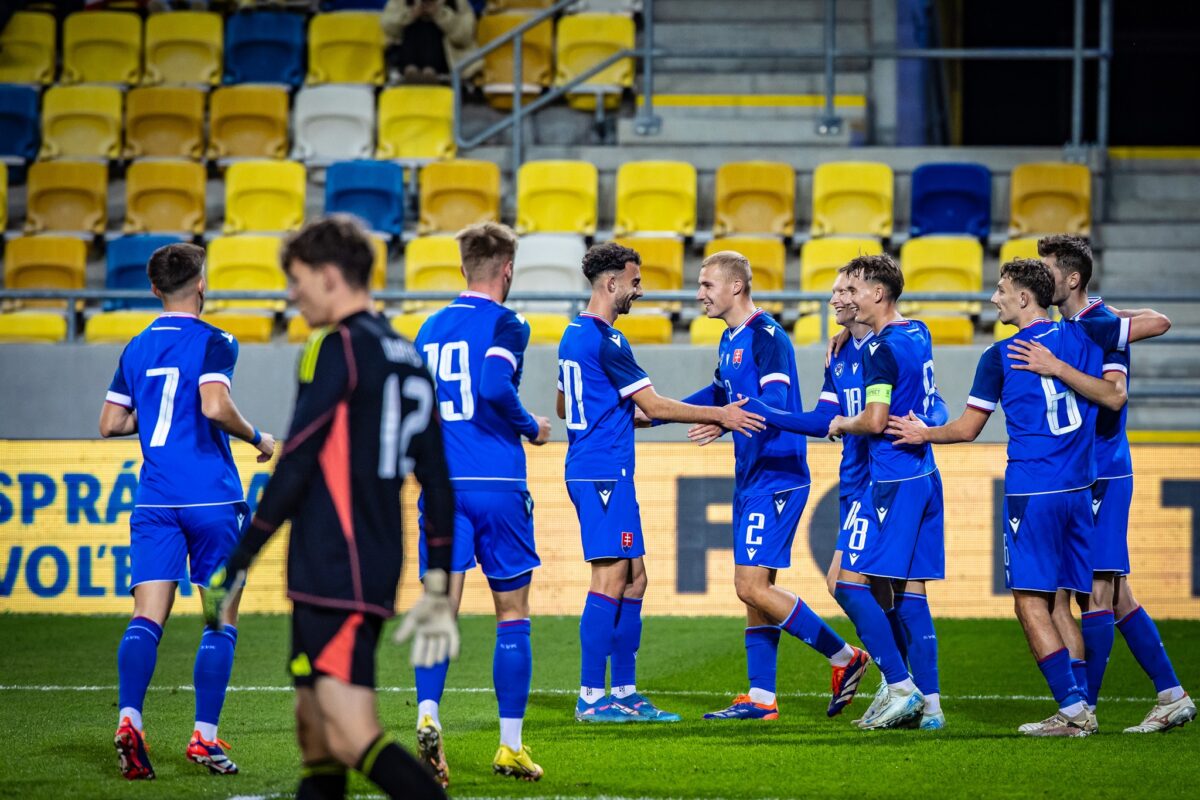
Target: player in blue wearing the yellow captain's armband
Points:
(904, 542)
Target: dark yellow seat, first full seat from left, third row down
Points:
(68, 196)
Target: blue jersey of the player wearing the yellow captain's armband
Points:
(898, 368)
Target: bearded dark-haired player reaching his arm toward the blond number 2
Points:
(599, 386)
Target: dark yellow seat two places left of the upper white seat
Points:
(165, 122)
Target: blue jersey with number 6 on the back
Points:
(1052, 430)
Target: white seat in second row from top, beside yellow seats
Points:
(334, 124)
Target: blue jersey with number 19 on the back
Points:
(473, 341)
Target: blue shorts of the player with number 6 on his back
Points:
(1048, 540)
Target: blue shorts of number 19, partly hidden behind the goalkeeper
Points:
(494, 530)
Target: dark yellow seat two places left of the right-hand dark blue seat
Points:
(755, 197)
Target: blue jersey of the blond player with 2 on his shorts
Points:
(752, 358)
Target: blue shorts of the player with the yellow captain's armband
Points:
(905, 539)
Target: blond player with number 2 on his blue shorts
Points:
(755, 359)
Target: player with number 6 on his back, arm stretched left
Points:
(1052, 434)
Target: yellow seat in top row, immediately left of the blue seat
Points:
(184, 47)
